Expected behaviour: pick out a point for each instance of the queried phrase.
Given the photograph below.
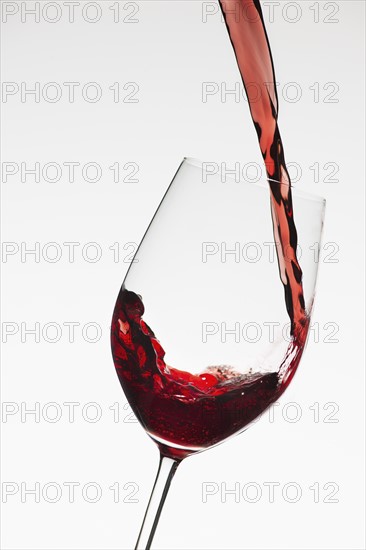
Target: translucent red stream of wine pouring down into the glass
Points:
(245, 25)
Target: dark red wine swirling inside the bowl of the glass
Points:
(184, 412)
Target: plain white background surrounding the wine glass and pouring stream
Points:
(169, 52)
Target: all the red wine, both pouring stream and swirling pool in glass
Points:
(184, 412)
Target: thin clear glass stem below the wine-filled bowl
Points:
(166, 471)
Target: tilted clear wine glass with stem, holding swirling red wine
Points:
(201, 339)
